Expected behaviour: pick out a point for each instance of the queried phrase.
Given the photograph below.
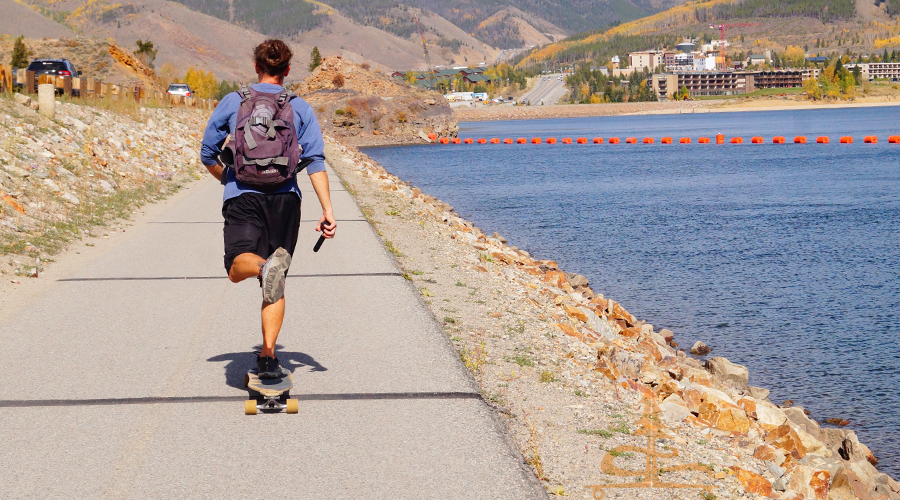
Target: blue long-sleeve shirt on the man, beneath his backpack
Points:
(222, 123)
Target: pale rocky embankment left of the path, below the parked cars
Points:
(87, 166)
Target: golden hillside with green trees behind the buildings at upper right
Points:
(817, 26)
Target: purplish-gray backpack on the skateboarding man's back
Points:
(264, 155)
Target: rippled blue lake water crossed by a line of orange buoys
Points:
(784, 258)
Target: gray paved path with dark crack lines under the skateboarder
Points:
(123, 375)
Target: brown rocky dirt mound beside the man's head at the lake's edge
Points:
(364, 108)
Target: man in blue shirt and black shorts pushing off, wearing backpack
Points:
(275, 135)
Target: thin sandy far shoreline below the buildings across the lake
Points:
(647, 108)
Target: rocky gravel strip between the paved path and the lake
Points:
(600, 403)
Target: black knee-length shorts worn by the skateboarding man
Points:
(260, 224)
